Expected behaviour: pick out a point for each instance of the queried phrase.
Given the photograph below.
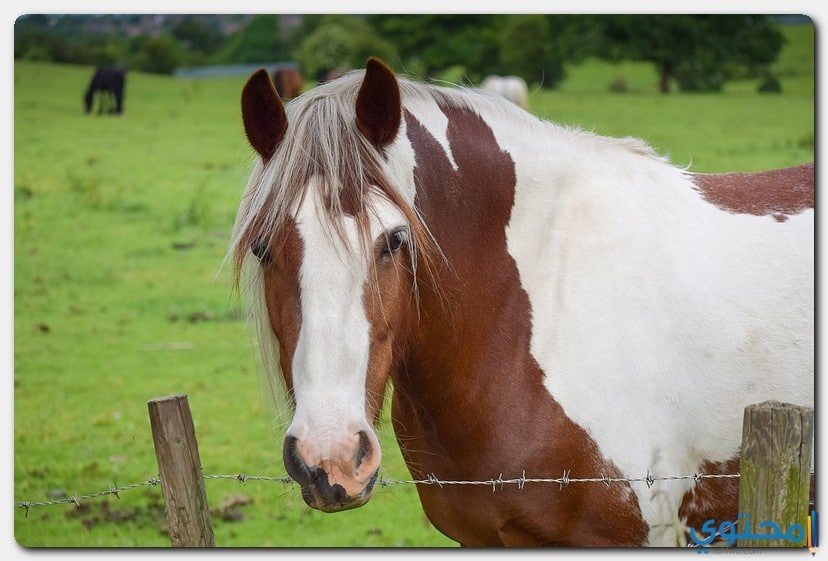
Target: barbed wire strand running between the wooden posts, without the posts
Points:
(382, 481)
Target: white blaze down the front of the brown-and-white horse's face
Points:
(330, 362)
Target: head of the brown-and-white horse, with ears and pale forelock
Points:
(333, 246)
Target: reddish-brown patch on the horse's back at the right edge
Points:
(781, 192)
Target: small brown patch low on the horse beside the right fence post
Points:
(712, 498)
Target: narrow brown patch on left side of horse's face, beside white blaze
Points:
(282, 294)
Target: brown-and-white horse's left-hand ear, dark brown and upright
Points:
(263, 114)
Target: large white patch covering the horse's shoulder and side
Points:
(656, 317)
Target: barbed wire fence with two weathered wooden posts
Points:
(776, 437)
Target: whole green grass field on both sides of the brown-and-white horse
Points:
(121, 225)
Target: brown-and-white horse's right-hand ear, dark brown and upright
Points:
(379, 109)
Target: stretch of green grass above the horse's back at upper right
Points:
(737, 130)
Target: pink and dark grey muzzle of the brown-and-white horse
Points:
(341, 481)
